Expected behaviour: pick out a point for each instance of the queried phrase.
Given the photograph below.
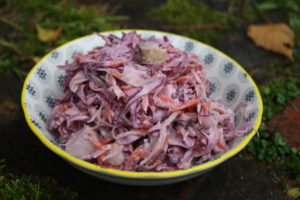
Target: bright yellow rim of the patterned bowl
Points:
(141, 175)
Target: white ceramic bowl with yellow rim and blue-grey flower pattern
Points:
(230, 83)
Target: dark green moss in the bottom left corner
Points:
(31, 188)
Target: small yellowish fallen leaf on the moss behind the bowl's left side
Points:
(47, 35)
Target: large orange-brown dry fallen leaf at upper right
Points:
(278, 38)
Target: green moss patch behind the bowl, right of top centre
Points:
(192, 13)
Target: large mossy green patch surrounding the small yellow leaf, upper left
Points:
(75, 19)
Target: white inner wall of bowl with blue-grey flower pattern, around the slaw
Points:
(229, 82)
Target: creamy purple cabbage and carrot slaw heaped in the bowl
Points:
(119, 112)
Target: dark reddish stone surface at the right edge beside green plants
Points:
(288, 123)
